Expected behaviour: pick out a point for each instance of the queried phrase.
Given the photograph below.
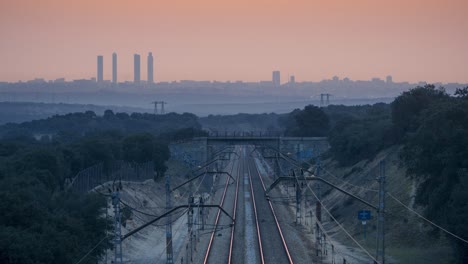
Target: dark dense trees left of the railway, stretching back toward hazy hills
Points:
(41, 222)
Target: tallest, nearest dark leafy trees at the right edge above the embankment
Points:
(435, 151)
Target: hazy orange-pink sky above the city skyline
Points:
(412, 40)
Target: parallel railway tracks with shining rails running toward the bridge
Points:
(256, 236)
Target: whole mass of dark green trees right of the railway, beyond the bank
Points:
(432, 127)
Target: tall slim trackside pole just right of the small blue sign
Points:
(380, 256)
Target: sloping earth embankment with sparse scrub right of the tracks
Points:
(408, 237)
